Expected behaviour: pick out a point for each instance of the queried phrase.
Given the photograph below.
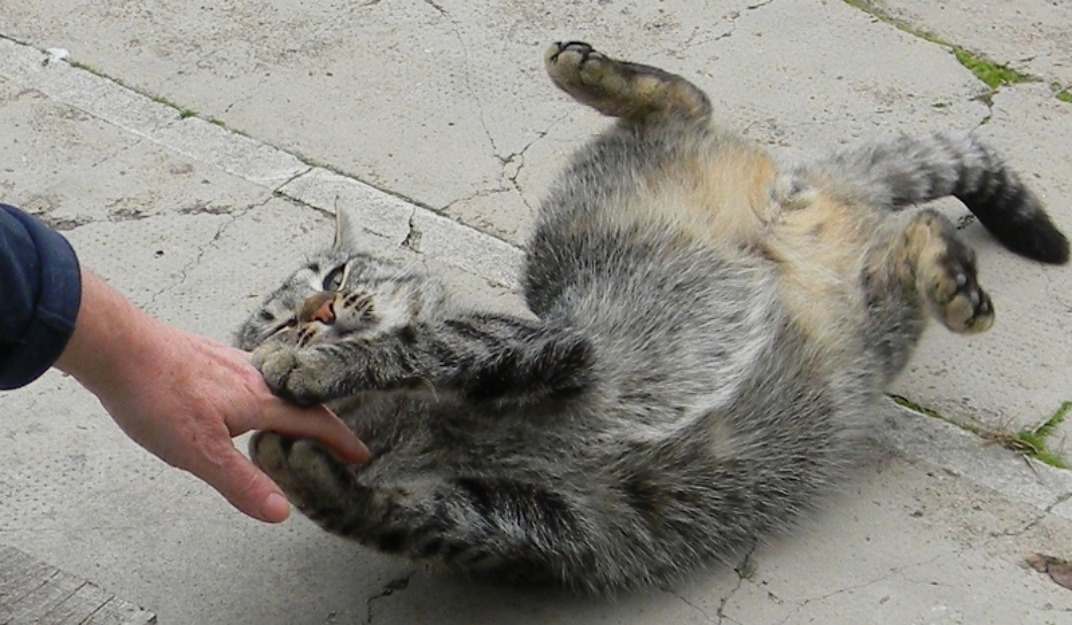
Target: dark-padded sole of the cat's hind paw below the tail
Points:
(959, 301)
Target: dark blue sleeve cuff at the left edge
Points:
(40, 295)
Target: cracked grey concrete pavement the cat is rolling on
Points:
(195, 154)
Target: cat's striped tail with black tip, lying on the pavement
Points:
(914, 170)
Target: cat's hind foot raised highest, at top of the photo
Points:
(631, 92)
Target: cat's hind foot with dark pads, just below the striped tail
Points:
(943, 267)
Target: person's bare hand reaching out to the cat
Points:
(184, 397)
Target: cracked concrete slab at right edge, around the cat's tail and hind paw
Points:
(1018, 375)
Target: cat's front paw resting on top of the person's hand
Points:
(293, 374)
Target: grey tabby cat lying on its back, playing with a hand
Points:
(709, 339)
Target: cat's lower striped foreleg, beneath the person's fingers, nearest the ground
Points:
(486, 527)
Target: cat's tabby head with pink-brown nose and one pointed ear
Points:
(341, 292)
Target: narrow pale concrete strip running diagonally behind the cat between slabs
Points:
(443, 239)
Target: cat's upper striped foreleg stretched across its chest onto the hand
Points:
(481, 356)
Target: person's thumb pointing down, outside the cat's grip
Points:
(245, 486)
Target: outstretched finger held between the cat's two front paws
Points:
(317, 423)
